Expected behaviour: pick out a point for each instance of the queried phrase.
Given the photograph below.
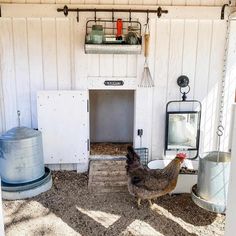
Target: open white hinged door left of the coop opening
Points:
(63, 121)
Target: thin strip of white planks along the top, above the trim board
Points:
(130, 2)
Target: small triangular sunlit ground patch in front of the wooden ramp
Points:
(104, 218)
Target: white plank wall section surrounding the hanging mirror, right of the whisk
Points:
(199, 57)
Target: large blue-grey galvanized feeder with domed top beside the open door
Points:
(21, 164)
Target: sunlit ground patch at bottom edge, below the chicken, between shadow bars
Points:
(141, 228)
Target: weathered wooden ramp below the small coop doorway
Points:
(107, 174)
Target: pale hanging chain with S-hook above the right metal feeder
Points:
(220, 128)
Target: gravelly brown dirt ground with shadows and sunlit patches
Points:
(69, 209)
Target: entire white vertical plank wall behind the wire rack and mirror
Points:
(48, 53)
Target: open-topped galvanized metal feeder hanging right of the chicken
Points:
(211, 190)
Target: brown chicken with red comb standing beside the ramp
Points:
(146, 184)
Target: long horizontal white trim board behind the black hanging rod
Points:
(50, 10)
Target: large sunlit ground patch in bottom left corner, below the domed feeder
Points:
(32, 218)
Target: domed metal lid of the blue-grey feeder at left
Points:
(19, 133)
